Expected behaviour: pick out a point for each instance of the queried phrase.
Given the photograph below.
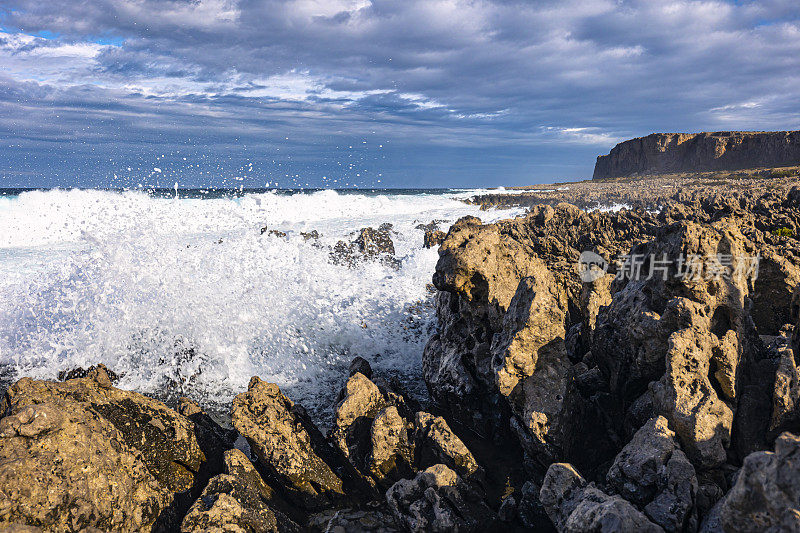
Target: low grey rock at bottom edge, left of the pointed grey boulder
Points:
(577, 506)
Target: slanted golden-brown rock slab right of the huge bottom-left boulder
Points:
(291, 449)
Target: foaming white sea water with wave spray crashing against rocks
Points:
(190, 291)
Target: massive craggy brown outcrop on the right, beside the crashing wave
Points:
(679, 365)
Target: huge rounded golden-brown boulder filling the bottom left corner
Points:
(84, 454)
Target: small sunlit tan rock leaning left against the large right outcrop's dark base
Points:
(437, 444)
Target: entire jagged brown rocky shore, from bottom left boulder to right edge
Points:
(618, 401)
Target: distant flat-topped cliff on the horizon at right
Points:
(664, 153)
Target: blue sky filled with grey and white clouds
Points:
(375, 93)
